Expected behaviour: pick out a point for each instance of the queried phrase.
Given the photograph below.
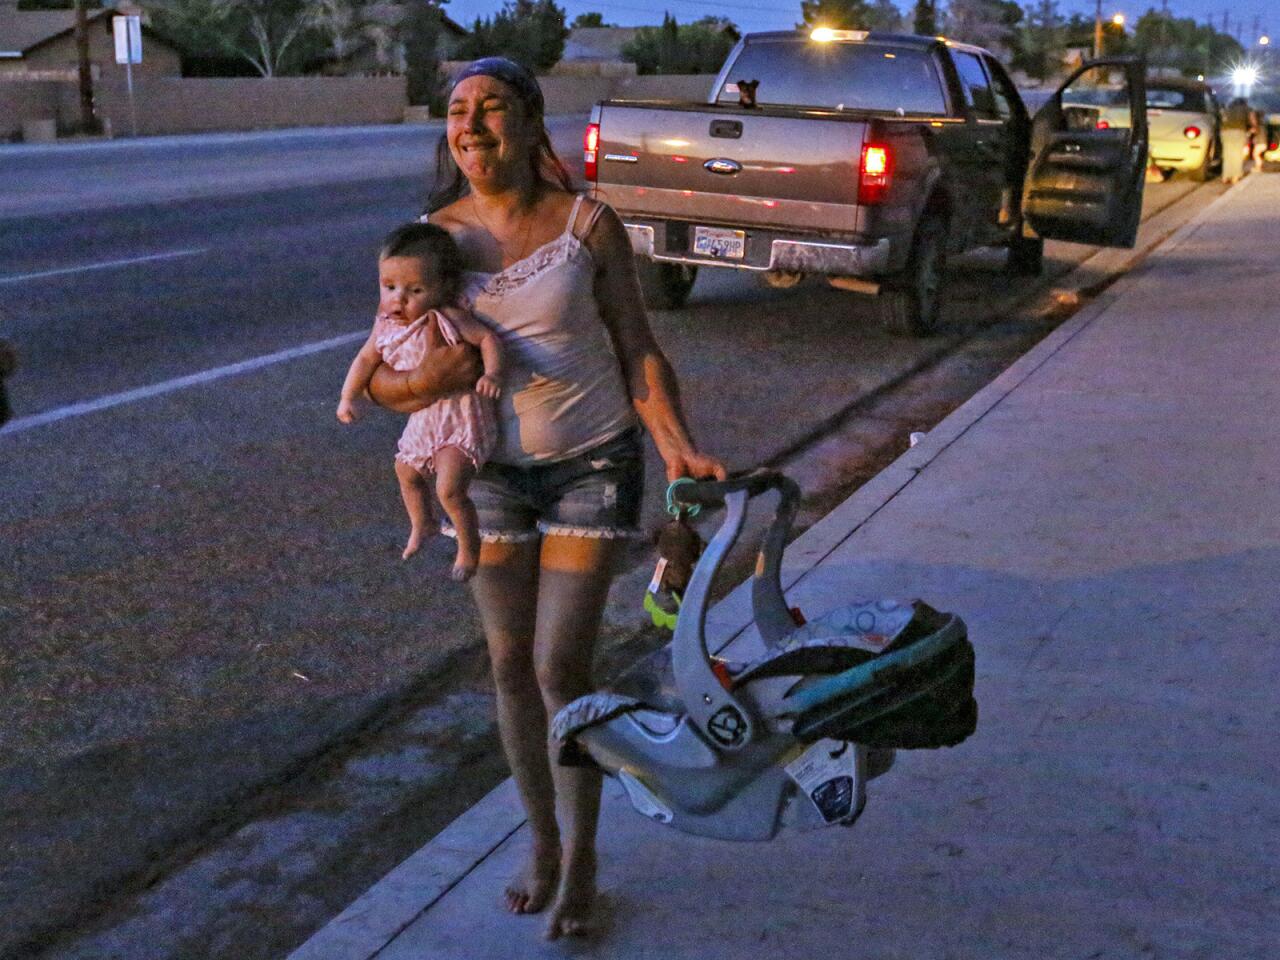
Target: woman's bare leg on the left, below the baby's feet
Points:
(506, 593)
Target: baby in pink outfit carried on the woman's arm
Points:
(420, 277)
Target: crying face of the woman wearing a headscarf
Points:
(488, 132)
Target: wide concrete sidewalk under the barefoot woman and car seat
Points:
(1107, 518)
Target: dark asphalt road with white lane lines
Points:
(200, 586)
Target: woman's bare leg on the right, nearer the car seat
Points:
(574, 584)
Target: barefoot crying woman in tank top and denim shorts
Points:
(555, 276)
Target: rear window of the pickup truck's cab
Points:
(838, 76)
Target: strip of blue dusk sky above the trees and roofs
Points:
(784, 15)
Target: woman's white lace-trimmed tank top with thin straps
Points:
(563, 387)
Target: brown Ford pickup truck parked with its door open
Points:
(868, 159)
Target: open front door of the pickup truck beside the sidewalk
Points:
(1089, 157)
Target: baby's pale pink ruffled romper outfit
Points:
(464, 420)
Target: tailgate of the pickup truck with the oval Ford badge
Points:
(717, 166)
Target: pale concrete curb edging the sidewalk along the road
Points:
(410, 890)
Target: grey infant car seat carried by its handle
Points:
(788, 735)
